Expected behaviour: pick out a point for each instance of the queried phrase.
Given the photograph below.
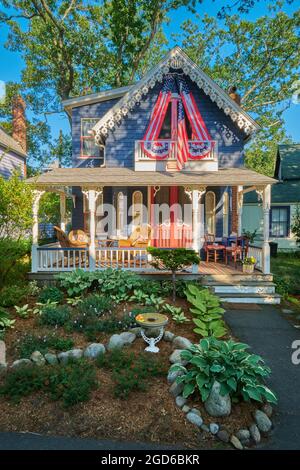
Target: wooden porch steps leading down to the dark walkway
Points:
(255, 289)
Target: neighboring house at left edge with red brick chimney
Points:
(13, 148)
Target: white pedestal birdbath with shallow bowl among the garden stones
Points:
(149, 321)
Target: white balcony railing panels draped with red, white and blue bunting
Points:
(166, 150)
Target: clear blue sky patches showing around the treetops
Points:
(11, 63)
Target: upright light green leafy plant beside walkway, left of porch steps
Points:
(207, 310)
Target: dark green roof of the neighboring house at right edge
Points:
(288, 162)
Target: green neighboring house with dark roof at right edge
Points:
(285, 197)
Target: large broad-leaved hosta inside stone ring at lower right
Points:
(240, 373)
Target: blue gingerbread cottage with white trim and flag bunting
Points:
(174, 138)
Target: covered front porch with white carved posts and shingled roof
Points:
(194, 186)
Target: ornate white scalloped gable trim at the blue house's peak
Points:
(175, 59)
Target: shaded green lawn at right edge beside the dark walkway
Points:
(287, 267)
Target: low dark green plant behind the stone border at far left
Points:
(29, 343)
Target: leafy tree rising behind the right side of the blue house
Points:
(261, 58)
